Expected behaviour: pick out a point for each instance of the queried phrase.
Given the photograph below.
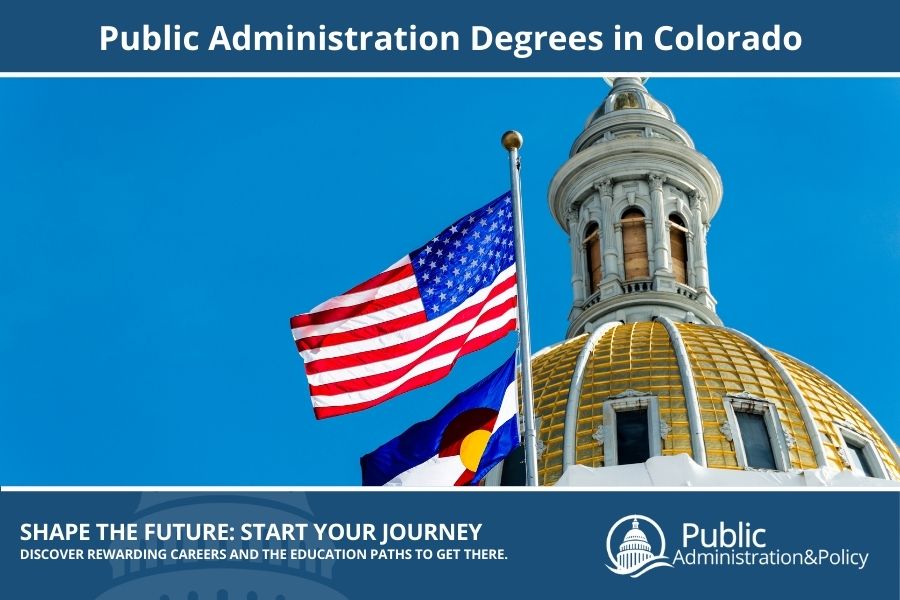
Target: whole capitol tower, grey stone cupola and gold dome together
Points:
(650, 387)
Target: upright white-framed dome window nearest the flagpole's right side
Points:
(631, 428)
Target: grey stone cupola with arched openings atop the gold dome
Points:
(636, 200)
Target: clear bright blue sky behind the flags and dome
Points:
(156, 235)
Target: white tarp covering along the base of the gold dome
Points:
(681, 471)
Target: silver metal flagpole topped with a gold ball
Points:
(512, 141)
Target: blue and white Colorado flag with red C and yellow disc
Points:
(460, 444)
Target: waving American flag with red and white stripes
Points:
(407, 326)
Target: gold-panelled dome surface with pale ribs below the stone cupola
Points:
(710, 366)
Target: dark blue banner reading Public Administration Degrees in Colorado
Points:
(416, 37)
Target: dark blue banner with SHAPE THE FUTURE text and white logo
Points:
(479, 544)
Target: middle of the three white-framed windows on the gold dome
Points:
(754, 428)
